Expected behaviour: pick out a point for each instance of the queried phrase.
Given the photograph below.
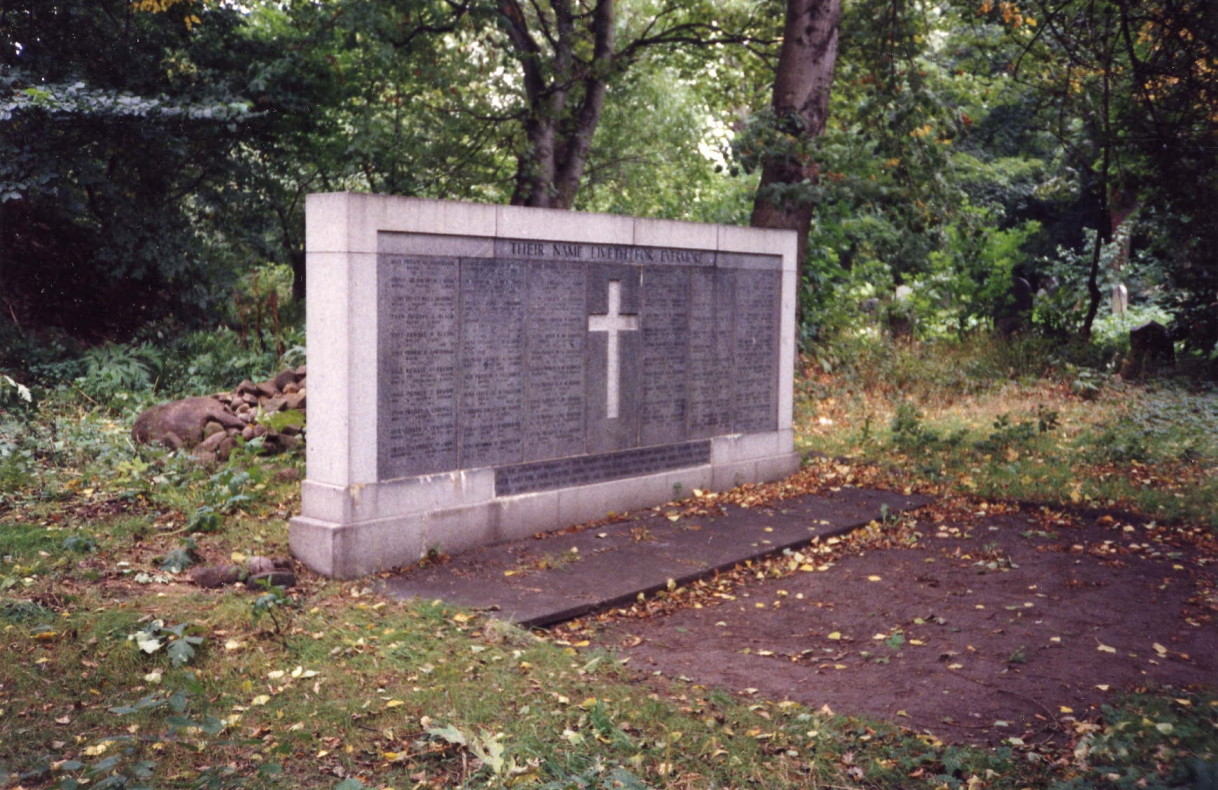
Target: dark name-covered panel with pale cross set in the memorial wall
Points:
(485, 361)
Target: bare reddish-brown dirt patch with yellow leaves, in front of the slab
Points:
(1013, 625)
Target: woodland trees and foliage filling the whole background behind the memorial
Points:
(155, 150)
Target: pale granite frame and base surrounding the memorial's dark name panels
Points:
(351, 523)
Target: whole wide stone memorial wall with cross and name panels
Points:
(485, 373)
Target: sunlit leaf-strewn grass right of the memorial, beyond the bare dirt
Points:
(1037, 434)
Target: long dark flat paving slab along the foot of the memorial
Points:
(563, 575)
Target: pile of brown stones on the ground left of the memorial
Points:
(211, 427)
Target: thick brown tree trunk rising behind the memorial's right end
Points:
(801, 107)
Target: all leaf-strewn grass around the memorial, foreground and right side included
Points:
(328, 686)
